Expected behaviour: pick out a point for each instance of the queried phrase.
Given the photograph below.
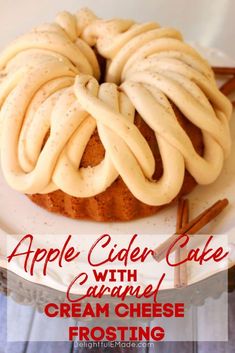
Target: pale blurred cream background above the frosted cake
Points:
(209, 22)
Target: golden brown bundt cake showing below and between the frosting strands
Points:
(117, 203)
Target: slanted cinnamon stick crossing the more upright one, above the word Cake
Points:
(191, 227)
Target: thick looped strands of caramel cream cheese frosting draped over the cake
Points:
(51, 103)
